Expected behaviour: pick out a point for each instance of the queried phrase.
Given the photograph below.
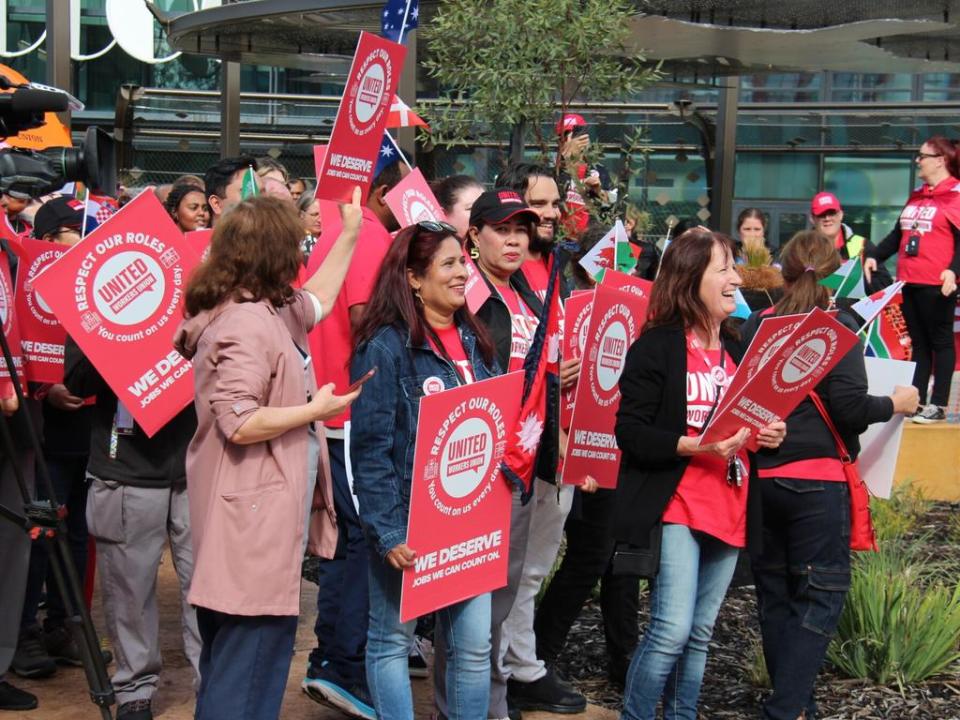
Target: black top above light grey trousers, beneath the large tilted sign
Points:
(138, 460)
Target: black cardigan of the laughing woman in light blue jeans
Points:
(650, 422)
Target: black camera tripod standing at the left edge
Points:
(42, 520)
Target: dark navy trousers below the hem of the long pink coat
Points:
(243, 665)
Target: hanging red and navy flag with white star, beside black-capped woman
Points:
(541, 381)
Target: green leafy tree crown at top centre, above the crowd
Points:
(517, 60)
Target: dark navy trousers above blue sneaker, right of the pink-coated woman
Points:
(342, 605)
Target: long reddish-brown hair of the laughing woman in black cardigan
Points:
(675, 299)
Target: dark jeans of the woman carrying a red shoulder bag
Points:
(802, 576)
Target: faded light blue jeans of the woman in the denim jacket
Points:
(465, 627)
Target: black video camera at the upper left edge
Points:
(32, 173)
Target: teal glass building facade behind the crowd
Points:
(797, 132)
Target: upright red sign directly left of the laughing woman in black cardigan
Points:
(615, 322)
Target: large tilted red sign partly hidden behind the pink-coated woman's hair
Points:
(119, 294)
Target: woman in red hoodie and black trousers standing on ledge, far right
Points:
(926, 240)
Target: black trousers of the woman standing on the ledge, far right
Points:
(929, 318)
